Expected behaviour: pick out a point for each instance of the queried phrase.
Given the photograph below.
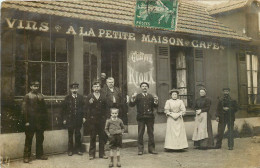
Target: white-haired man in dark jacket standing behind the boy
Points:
(114, 99)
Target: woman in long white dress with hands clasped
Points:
(175, 137)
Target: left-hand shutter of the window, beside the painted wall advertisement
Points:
(163, 75)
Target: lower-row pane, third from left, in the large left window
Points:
(48, 79)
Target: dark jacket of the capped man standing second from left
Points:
(73, 111)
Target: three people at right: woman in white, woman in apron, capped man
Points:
(175, 138)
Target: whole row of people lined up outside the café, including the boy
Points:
(103, 110)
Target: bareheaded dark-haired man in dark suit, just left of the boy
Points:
(96, 115)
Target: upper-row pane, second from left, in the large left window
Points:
(34, 48)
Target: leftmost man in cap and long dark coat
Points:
(35, 116)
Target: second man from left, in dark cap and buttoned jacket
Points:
(73, 117)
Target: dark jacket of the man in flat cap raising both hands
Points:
(144, 105)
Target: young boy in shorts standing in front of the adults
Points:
(114, 129)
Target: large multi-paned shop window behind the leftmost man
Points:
(41, 58)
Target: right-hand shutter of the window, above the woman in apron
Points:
(199, 70)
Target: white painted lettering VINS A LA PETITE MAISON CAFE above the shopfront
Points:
(111, 34)
